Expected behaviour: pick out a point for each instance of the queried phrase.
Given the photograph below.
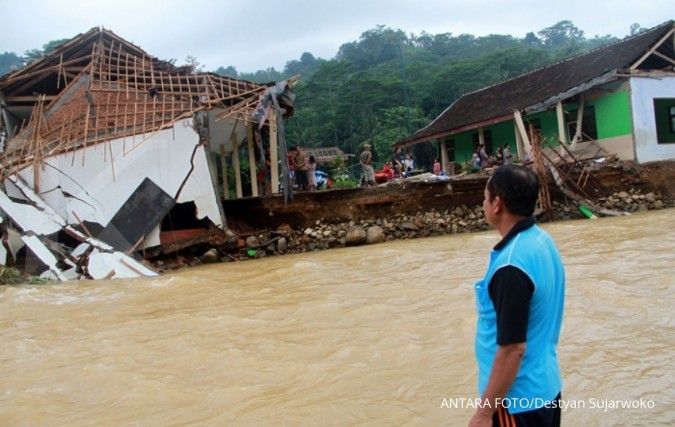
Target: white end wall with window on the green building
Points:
(643, 92)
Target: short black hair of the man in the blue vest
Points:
(517, 186)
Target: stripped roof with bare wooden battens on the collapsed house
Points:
(98, 87)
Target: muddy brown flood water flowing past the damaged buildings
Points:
(375, 335)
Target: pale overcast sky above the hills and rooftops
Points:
(253, 35)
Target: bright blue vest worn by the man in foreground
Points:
(532, 251)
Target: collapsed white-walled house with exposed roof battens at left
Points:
(106, 150)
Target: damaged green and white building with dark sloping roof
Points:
(618, 99)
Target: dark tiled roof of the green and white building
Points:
(496, 103)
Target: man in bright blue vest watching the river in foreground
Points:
(520, 308)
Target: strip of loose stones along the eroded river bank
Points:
(323, 235)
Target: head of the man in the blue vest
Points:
(510, 190)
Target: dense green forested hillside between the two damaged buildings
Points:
(387, 84)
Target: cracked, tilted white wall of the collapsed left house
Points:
(96, 194)
